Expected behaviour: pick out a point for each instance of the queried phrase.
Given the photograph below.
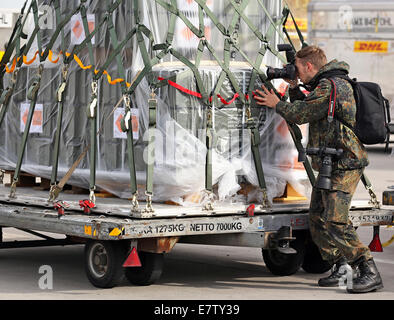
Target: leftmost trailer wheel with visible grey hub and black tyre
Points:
(103, 262)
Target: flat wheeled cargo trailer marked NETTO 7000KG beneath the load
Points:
(121, 242)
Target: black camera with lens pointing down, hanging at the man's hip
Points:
(326, 154)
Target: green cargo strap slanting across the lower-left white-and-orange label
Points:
(32, 96)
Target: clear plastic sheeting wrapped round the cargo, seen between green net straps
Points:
(180, 148)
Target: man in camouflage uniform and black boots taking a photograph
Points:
(336, 153)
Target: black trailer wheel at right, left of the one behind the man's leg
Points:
(285, 264)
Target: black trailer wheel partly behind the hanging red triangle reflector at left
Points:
(150, 270)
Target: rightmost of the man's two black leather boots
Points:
(368, 280)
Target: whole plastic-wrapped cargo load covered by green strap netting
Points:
(149, 100)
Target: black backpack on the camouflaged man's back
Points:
(373, 113)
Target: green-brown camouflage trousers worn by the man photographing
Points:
(329, 223)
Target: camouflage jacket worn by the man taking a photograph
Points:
(313, 109)
